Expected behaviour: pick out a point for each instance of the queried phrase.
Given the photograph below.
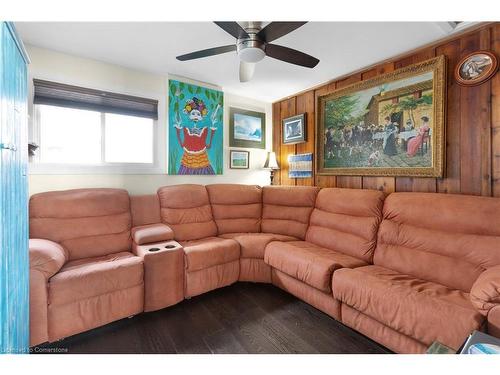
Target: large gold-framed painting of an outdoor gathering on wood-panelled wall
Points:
(390, 125)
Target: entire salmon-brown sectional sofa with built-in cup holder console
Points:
(404, 269)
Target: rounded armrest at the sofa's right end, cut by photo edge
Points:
(485, 293)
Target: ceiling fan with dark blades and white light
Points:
(253, 43)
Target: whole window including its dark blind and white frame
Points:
(77, 127)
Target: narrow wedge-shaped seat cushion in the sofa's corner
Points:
(253, 245)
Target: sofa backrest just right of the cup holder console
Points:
(186, 209)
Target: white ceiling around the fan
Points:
(342, 47)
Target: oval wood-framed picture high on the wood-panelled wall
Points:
(476, 68)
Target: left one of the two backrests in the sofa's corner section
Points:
(236, 208)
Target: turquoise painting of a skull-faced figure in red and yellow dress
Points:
(195, 130)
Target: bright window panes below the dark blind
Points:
(75, 136)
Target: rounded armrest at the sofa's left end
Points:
(46, 256)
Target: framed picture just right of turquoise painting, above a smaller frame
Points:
(247, 128)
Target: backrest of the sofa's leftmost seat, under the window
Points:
(86, 222)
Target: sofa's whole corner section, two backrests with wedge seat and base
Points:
(254, 217)
